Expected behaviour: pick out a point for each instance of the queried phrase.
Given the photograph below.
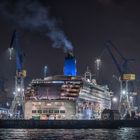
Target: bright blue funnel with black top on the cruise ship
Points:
(70, 65)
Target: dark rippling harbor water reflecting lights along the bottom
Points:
(71, 134)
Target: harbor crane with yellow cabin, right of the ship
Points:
(125, 77)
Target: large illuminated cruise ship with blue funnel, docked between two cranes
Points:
(66, 96)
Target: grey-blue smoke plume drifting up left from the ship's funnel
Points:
(33, 15)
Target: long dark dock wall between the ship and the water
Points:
(68, 124)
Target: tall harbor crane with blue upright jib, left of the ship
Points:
(17, 106)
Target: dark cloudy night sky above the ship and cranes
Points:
(84, 25)
